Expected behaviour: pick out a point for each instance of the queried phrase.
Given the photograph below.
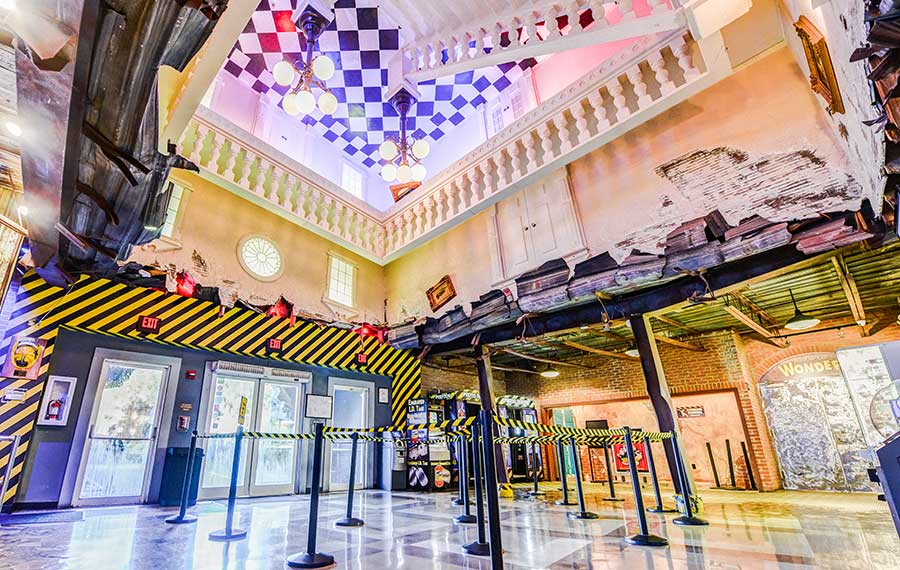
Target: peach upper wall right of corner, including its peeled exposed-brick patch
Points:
(756, 142)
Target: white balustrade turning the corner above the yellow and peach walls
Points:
(572, 122)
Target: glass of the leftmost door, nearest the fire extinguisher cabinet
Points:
(118, 454)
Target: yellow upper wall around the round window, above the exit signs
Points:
(215, 220)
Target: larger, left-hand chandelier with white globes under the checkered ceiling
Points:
(313, 72)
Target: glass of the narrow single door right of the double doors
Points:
(351, 409)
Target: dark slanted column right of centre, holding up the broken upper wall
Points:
(657, 387)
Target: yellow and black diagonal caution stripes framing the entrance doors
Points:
(100, 306)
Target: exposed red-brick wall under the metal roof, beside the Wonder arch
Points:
(719, 367)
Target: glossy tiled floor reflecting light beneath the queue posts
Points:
(784, 531)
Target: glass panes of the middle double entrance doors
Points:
(273, 406)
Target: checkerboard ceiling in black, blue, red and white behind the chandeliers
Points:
(361, 43)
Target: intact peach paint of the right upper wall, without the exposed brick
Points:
(766, 107)
